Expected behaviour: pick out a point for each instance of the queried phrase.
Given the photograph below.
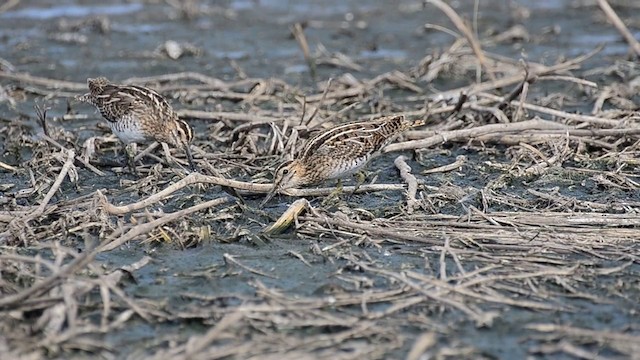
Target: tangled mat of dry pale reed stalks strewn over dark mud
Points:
(499, 249)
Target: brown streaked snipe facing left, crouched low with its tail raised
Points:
(338, 152)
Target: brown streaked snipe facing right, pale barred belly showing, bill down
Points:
(138, 114)
